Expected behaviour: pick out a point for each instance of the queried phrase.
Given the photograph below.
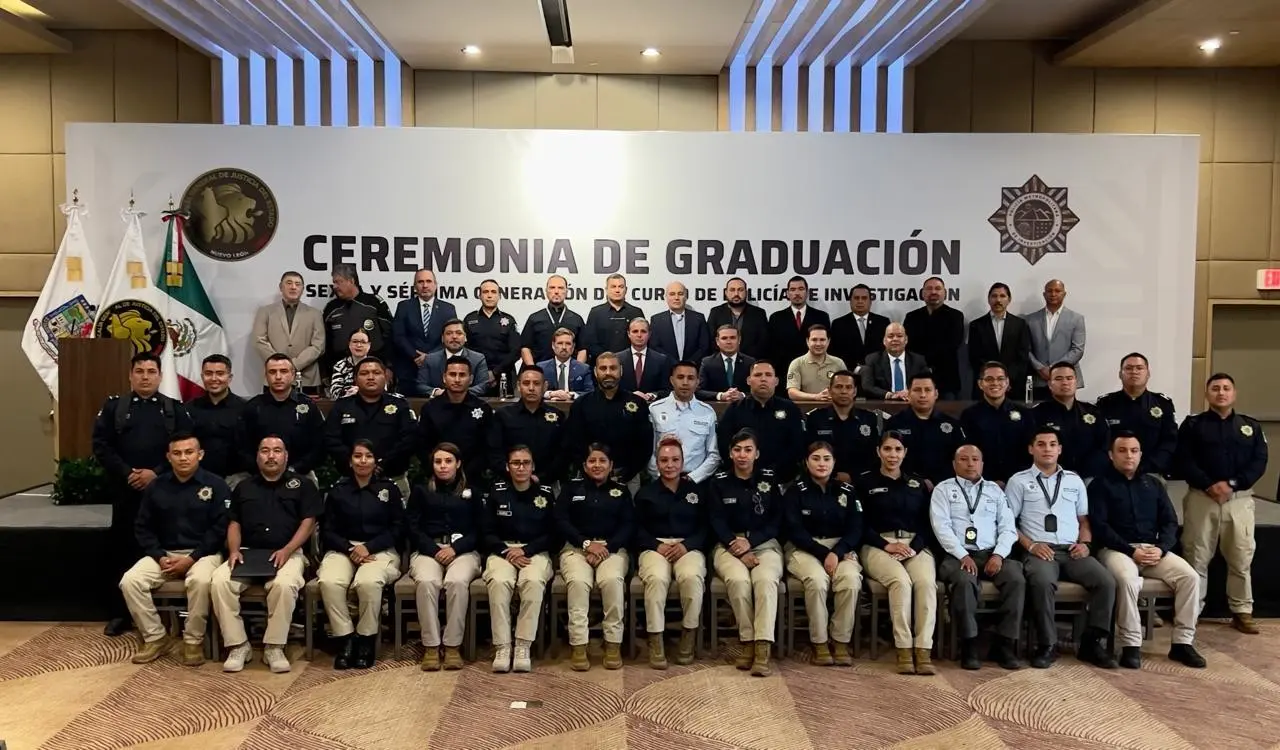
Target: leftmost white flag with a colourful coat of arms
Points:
(67, 304)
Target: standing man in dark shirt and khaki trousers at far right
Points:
(1222, 455)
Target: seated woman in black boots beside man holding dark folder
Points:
(363, 524)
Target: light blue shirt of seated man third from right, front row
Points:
(993, 519)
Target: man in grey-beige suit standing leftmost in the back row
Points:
(294, 328)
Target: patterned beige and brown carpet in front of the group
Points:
(68, 688)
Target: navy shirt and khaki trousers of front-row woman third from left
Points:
(373, 516)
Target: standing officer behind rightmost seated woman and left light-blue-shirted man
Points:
(929, 436)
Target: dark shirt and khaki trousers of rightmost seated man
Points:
(1126, 514)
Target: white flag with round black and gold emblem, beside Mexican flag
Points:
(132, 305)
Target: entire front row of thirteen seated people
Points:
(1043, 528)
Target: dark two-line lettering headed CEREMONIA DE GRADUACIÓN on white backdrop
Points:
(813, 259)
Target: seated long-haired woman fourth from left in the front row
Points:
(445, 533)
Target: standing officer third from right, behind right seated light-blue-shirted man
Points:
(1081, 427)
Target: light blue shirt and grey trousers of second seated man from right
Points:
(1048, 510)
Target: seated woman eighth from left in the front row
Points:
(746, 509)
